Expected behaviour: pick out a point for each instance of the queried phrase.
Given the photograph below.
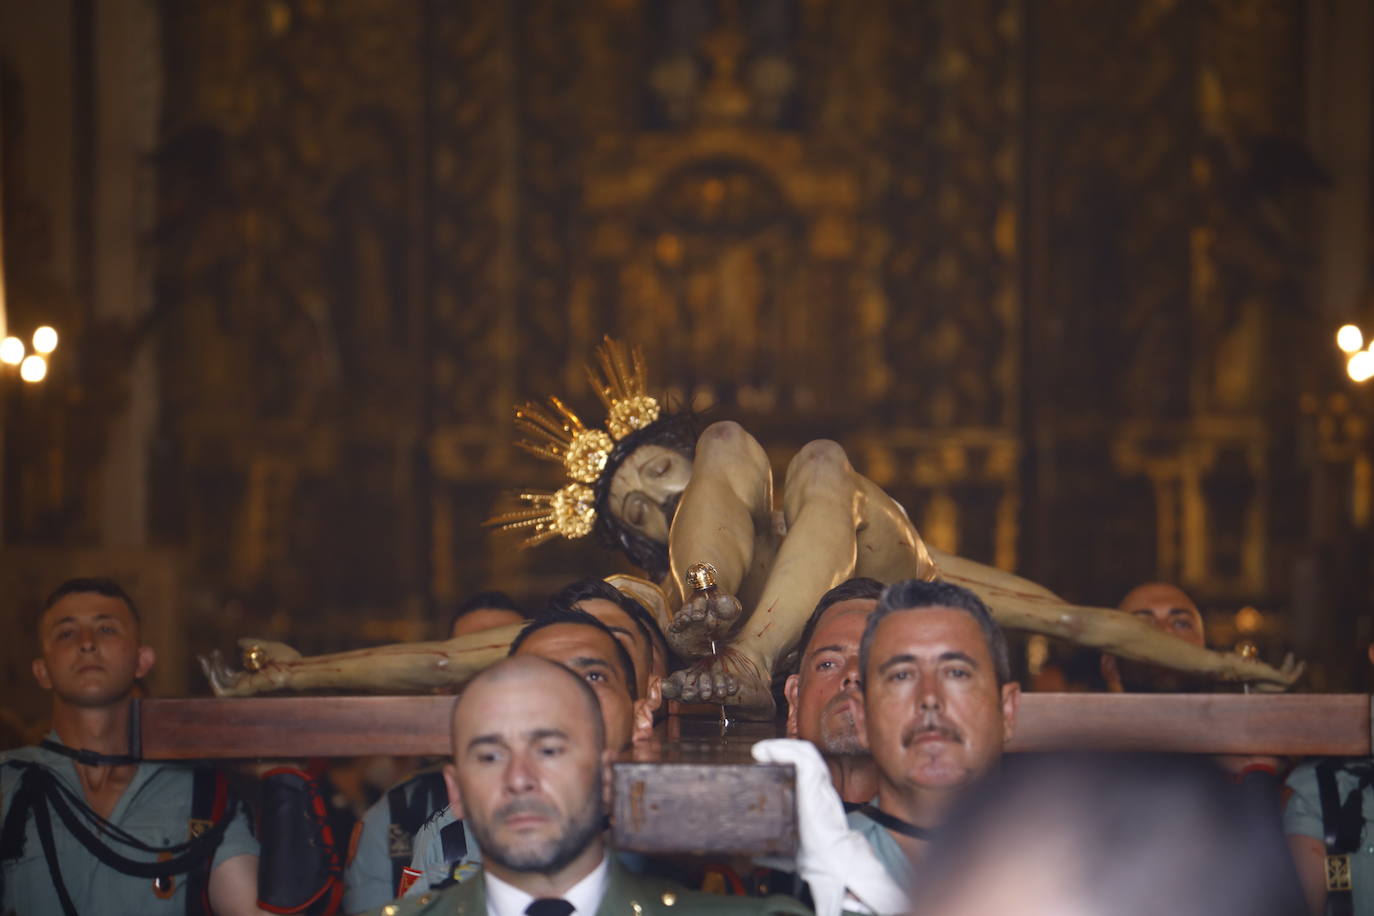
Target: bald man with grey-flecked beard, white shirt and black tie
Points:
(531, 778)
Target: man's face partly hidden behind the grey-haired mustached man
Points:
(824, 691)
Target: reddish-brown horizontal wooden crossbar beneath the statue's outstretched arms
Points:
(1305, 724)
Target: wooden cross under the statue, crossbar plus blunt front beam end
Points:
(699, 792)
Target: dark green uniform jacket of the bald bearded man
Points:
(627, 895)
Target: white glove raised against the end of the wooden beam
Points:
(831, 858)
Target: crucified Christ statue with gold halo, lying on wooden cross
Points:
(670, 499)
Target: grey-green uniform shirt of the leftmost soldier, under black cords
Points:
(155, 810)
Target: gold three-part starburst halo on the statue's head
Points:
(560, 436)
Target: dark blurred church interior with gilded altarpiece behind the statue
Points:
(1086, 288)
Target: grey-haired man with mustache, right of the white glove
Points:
(939, 704)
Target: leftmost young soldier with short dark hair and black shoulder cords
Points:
(127, 814)
